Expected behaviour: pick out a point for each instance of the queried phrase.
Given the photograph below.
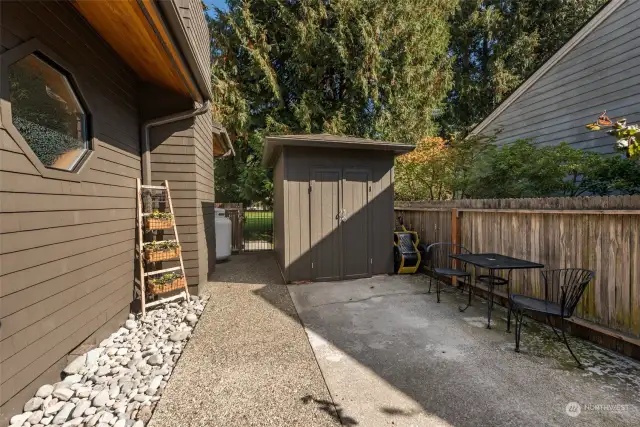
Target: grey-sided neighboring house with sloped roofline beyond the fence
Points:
(597, 70)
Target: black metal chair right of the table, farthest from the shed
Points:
(563, 289)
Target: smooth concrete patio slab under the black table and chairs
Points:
(391, 355)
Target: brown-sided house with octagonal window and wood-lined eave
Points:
(81, 82)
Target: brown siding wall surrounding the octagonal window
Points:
(66, 248)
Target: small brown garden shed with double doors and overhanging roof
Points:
(333, 205)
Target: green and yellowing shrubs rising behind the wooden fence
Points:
(521, 169)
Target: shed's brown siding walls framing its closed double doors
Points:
(299, 162)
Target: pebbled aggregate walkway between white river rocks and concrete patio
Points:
(248, 362)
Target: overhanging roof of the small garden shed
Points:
(273, 145)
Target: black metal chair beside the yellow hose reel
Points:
(438, 262)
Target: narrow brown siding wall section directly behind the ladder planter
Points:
(182, 154)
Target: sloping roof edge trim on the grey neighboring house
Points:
(592, 24)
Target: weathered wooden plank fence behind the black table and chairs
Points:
(597, 233)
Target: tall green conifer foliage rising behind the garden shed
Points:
(355, 67)
